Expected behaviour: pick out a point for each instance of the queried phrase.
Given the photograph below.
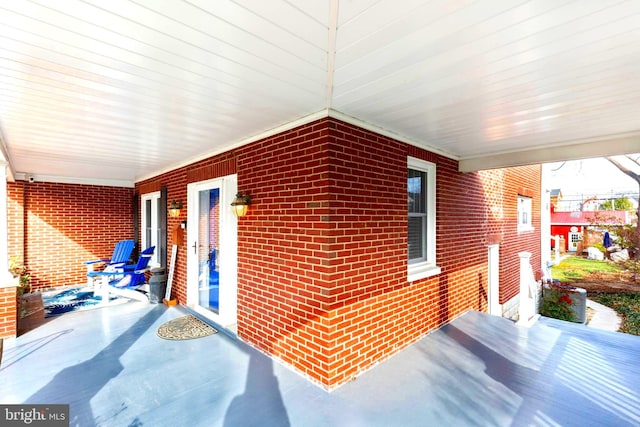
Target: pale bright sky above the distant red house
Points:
(590, 177)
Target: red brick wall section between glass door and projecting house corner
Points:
(285, 258)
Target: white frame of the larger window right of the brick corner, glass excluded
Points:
(425, 266)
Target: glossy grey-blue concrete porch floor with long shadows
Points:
(479, 370)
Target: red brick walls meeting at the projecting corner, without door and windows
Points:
(322, 280)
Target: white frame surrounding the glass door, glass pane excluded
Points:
(228, 254)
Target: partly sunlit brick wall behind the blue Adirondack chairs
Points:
(55, 227)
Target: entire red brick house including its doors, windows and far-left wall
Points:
(355, 245)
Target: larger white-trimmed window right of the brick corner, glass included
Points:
(421, 204)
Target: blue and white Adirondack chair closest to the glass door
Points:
(125, 280)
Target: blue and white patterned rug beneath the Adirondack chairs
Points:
(68, 300)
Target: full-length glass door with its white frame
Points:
(212, 250)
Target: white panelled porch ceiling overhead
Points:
(116, 91)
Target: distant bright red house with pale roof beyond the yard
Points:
(578, 230)
